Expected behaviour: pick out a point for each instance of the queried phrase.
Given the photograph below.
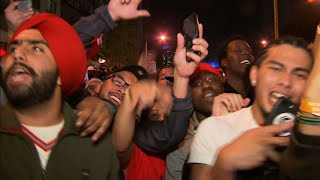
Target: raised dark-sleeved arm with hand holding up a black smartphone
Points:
(158, 137)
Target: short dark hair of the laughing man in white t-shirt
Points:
(297, 42)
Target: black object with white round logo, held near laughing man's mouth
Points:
(284, 110)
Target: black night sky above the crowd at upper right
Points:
(223, 18)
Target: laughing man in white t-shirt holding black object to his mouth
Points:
(230, 146)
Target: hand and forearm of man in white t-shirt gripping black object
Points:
(253, 147)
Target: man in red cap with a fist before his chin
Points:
(208, 99)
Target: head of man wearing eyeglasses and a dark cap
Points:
(114, 86)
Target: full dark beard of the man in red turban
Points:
(24, 96)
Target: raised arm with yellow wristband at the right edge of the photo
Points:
(301, 158)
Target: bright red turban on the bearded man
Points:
(65, 45)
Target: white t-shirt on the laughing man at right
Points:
(215, 132)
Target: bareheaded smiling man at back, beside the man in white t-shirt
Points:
(236, 58)
